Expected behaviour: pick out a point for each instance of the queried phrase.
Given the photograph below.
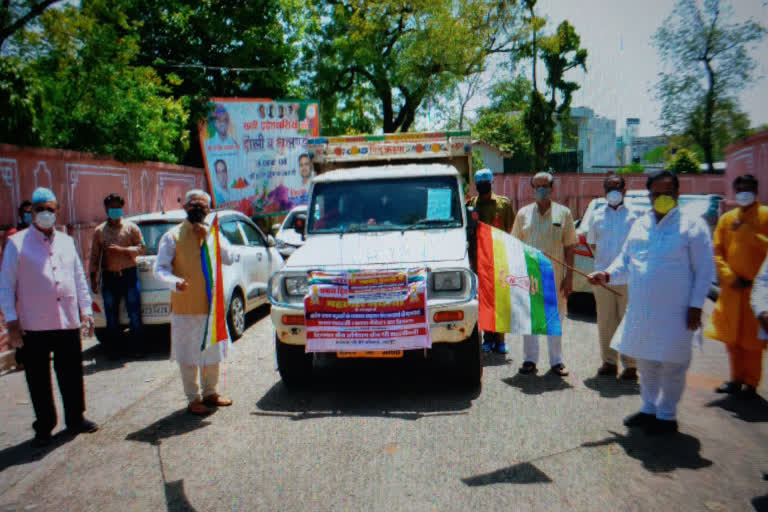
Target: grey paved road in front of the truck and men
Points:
(388, 437)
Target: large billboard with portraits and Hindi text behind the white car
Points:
(255, 153)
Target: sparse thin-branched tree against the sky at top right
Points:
(709, 63)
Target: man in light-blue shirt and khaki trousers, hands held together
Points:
(607, 232)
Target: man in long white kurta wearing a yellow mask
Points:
(669, 263)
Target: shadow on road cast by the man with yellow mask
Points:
(658, 454)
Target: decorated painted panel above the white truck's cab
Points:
(394, 146)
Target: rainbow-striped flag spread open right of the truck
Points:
(516, 285)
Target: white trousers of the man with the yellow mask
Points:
(661, 387)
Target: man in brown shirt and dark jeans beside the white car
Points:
(117, 243)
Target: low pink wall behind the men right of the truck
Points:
(577, 190)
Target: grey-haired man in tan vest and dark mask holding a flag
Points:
(179, 266)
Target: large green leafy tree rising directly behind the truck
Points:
(403, 51)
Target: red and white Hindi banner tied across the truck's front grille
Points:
(367, 311)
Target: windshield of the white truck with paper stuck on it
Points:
(386, 205)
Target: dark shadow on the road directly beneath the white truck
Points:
(369, 391)
